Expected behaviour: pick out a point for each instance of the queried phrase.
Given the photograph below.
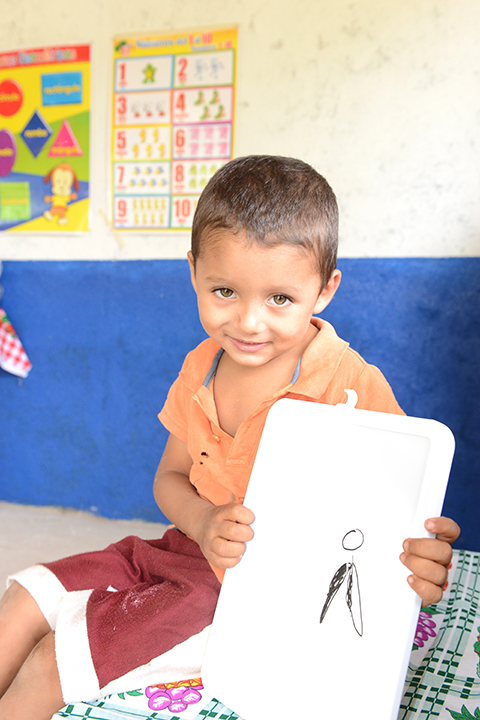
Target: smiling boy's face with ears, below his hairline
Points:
(256, 302)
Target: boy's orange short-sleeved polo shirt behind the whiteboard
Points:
(222, 464)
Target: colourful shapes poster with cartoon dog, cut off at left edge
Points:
(44, 139)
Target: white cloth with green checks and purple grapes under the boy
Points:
(443, 679)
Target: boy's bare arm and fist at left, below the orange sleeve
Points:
(221, 531)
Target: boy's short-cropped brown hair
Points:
(274, 200)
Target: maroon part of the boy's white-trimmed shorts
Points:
(145, 597)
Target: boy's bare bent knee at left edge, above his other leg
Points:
(22, 626)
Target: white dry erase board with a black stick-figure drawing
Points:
(318, 617)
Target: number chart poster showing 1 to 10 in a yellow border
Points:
(173, 118)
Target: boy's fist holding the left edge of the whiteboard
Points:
(223, 533)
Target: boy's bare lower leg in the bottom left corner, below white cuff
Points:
(35, 694)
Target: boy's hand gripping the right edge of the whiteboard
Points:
(429, 558)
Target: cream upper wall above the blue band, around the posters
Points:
(383, 98)
